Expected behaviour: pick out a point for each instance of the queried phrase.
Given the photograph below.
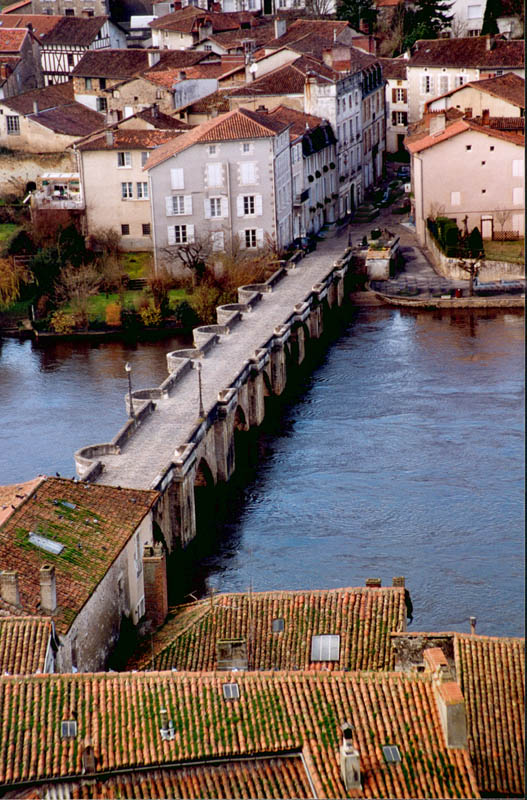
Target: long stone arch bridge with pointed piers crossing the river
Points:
(168, 446)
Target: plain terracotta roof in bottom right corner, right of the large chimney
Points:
(491, 672)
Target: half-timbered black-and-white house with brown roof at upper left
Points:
(64, 46)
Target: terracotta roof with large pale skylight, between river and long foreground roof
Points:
(363, 617)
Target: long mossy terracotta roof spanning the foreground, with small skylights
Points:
(275, 713)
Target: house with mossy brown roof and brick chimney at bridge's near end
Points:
(75, 553)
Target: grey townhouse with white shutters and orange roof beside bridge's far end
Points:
(228, 179)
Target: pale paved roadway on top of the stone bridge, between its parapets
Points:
(146, 453)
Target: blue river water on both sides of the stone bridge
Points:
(400, 454)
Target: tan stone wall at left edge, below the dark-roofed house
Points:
(17, 168)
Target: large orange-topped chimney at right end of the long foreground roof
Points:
(449, 698)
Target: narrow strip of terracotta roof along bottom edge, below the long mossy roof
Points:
(281, 777)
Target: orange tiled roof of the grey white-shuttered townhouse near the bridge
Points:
(238, 124)
